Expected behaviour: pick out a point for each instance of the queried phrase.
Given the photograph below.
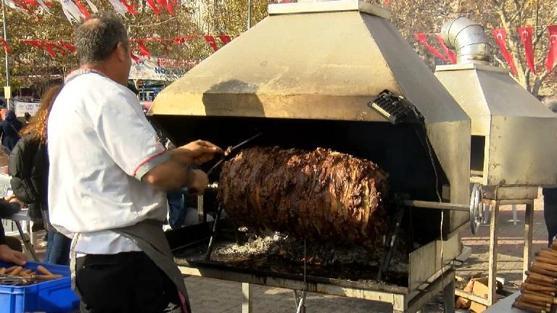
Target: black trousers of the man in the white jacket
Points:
(123, 283)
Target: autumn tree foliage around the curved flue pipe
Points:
(428, 16)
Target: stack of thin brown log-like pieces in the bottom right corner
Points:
(539, 292)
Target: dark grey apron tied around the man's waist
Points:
(150, 238)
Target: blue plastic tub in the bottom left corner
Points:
(49, 296)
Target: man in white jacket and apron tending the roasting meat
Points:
(108, 181)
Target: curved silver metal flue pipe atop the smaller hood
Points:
(468, 39)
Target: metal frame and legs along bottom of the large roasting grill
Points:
(401, 302)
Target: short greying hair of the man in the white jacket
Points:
(97, 38)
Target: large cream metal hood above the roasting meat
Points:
(322, 60)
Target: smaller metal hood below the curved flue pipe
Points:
(513, 134)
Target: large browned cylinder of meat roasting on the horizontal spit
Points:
(319, 194)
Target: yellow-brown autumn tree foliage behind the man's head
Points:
(30, 66)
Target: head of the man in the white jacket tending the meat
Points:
(102, 43)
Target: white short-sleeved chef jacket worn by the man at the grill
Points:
(100, 144)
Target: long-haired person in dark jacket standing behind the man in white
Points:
(28, 167)
